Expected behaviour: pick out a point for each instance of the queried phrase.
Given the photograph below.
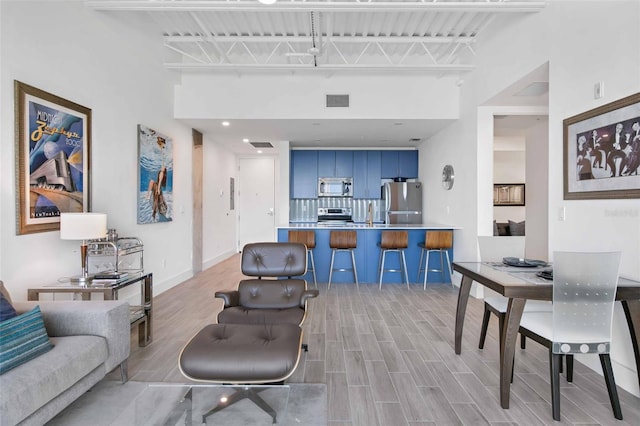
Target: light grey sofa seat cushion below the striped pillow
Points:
(42, 379)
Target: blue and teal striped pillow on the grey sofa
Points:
(22, 338)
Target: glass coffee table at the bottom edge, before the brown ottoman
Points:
(193, 404)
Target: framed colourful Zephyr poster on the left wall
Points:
(53, 146)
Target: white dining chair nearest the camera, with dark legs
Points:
(584, 290)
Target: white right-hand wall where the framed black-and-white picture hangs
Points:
(561, 35)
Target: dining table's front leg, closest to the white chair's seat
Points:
(507, 351)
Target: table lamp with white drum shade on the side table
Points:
(83, 226)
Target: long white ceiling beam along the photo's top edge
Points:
(490, 6)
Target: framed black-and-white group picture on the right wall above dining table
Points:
(602, 151)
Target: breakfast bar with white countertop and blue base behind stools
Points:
(367, 253)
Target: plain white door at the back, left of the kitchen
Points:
(256, 200)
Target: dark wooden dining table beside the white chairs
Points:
(518, 285)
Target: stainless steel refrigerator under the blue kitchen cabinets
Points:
(402, 202)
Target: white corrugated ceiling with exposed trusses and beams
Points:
(349, 35)
